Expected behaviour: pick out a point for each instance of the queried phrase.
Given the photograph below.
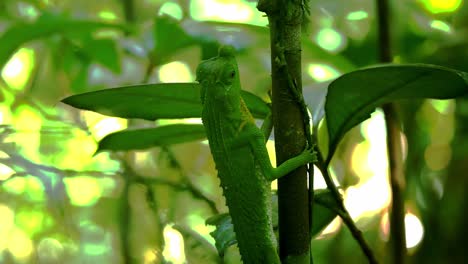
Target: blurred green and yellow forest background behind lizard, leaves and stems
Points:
(59, 204)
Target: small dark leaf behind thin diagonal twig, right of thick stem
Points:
(324, 210)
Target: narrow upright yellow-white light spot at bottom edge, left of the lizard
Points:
(174, 246)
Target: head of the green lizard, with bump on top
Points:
(219, 75)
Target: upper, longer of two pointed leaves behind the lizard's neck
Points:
(153, 101)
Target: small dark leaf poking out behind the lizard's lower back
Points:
(223, 235)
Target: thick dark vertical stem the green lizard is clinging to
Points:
(285, 19)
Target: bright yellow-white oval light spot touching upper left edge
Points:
(17, 71)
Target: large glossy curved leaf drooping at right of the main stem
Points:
(354, 96)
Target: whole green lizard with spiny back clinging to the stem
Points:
(241, 158)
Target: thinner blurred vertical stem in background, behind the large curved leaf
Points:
(396, 176)
